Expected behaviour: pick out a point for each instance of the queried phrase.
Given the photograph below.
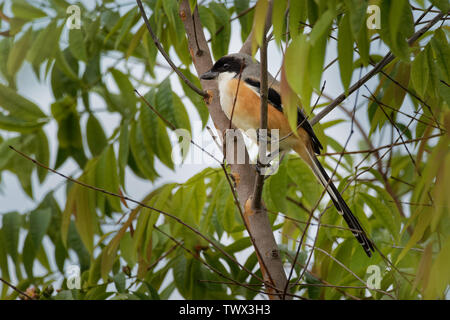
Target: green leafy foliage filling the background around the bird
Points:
(401, 199)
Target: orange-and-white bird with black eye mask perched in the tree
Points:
(238, 76)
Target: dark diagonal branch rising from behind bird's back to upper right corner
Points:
(389, 57)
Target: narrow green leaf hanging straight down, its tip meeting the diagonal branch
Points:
(345, 52)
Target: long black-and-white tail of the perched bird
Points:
(337, 199)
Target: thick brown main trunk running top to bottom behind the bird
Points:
(259, 226)
